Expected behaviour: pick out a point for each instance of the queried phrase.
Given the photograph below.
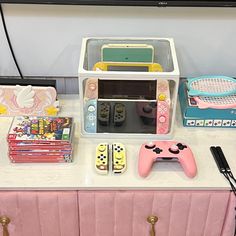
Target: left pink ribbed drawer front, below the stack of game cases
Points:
(44, 213)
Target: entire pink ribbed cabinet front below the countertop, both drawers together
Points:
(117, 213)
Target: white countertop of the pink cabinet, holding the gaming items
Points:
(80, 174)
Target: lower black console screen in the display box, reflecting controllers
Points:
(126, 116)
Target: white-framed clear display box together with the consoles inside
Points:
(128, 87)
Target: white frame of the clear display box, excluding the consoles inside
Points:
(164, 54)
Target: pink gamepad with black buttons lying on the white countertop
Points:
(166, 150)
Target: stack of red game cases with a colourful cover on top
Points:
(40, 139)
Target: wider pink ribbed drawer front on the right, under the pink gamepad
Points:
(180, 213)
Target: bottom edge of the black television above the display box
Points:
(151, 3)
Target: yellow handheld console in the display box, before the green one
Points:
(127, 66)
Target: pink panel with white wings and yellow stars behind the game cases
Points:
(28, 100)
